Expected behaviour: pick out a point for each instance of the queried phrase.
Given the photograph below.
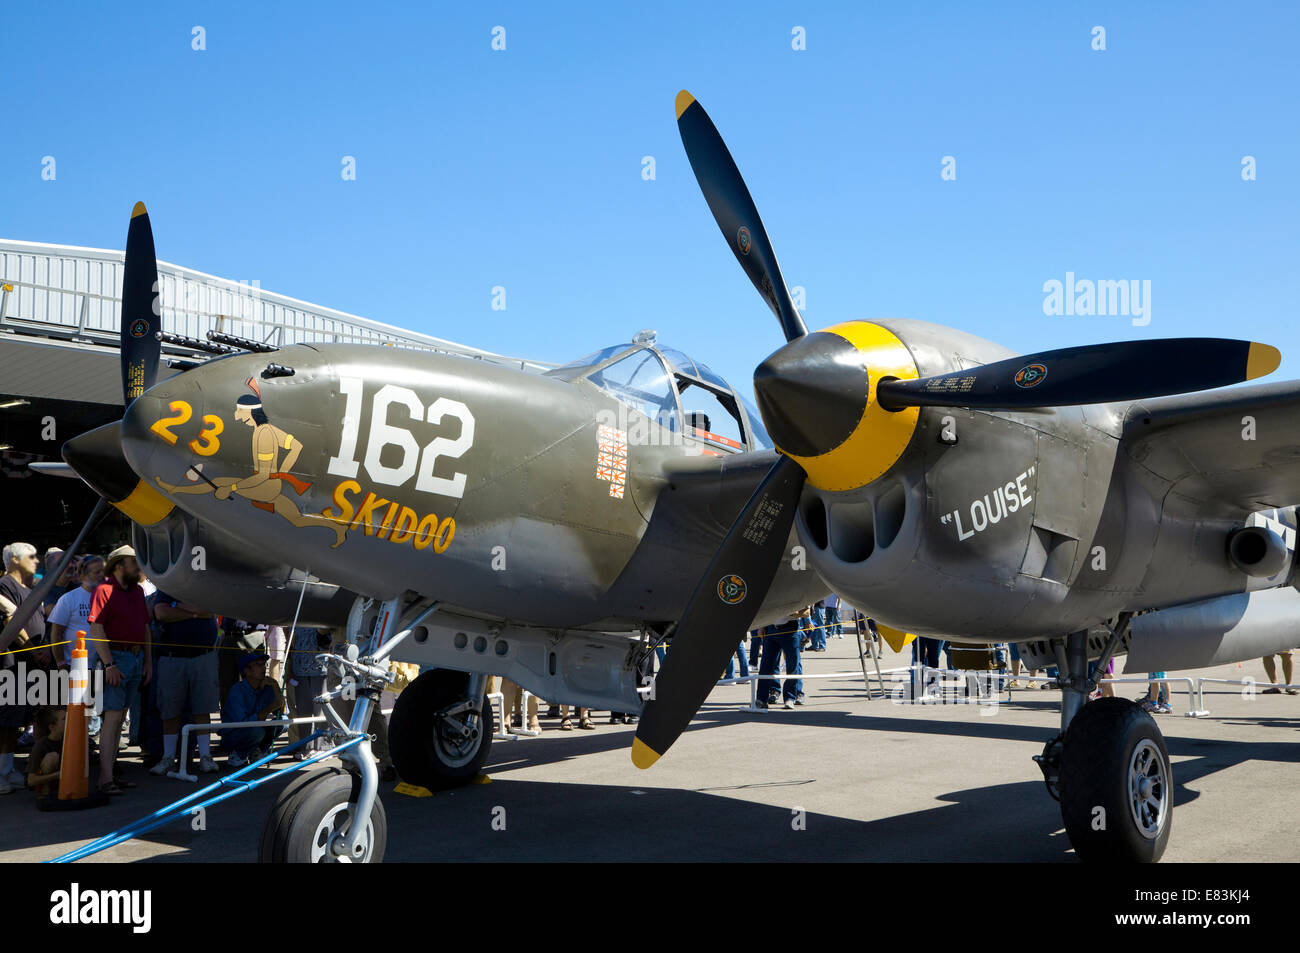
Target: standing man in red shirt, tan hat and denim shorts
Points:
(120, 633)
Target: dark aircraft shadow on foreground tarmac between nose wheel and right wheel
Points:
(580, 822)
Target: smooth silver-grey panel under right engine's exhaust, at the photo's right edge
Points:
(1215, 633)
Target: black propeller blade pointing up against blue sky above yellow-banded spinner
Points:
(734, 210)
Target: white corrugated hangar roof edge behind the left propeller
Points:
(73, 292)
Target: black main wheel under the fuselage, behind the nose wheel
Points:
(434, 750)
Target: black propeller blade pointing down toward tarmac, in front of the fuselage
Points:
(721, 610)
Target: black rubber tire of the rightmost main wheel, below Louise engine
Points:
(1095, 760)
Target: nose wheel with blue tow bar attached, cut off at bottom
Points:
(311, 820)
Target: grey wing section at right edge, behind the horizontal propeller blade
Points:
(1232, 449)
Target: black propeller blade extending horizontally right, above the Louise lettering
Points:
(1094, 374)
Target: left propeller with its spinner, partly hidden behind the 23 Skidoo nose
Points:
(99, 452)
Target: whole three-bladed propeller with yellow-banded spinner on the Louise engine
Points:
(826, 400)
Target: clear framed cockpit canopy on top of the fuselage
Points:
(681, 395)
